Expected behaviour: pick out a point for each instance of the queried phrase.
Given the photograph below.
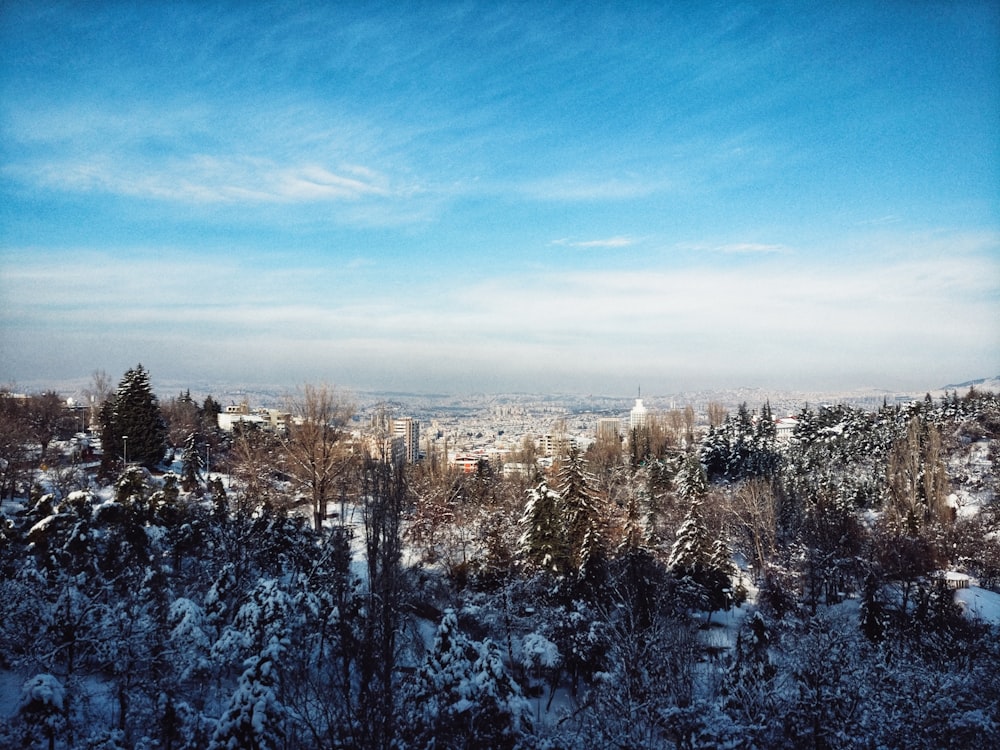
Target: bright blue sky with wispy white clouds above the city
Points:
(487, 197)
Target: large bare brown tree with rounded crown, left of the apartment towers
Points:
(314, 447)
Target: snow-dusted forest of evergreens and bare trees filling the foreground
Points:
(678, 588)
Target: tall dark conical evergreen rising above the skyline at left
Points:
(132, 427)
